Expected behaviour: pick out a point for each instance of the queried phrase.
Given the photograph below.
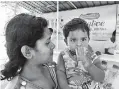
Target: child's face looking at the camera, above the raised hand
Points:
(77, 38)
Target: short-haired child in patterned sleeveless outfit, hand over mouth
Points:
(77, 64)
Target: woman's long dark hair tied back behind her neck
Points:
(23, 29)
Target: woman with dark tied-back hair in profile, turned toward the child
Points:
(30, 52)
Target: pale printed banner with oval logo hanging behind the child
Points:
(101, 20)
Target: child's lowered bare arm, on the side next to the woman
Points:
(61, 73)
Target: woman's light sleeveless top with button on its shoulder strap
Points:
(26, 84)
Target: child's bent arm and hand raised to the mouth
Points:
(95, 72)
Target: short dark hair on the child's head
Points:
(74, 24)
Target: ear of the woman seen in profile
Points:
(26, 52)
